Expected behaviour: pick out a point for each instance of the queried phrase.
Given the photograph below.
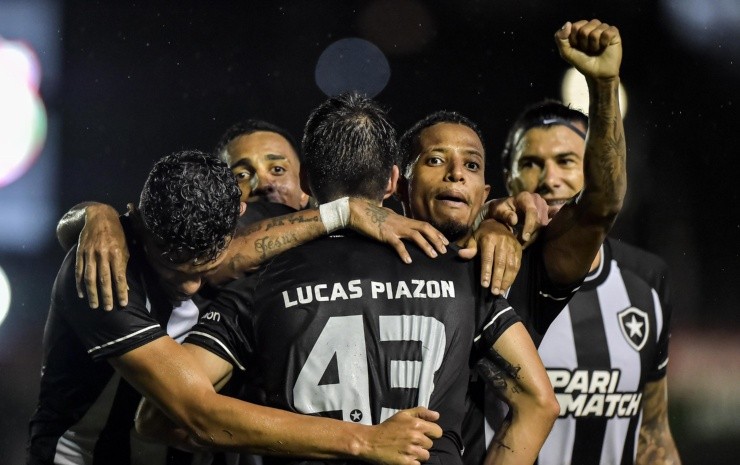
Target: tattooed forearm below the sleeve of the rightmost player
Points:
(656, 445)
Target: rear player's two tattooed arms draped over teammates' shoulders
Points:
(102, 253)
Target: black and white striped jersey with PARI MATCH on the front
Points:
(600, 351)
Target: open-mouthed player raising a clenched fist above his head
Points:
(445, 185)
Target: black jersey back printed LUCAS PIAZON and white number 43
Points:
(342, 328)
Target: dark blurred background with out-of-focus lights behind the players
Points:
(96, 91)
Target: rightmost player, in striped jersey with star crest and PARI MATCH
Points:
(607, 352)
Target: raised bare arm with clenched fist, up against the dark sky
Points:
(575, 234)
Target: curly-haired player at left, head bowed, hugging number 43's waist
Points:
(95, 362)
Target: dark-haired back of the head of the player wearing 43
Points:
(349, 148)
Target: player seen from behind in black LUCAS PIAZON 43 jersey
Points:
(339, 327)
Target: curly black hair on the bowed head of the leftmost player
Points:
(190, 205)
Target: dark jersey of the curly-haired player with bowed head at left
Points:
(85, 413)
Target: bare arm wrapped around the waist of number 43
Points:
(170, 377)
